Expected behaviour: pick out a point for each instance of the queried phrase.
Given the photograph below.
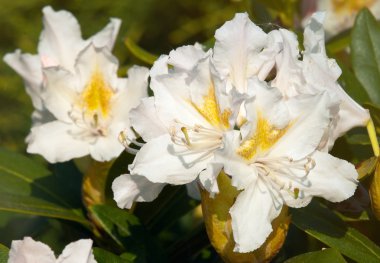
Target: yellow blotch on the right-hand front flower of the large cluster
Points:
(264, 137)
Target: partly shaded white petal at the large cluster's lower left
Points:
(128, 189)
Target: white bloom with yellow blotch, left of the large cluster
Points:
(80, 102)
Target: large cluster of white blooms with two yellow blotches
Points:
(255, 106)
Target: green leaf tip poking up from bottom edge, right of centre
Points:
(327, 255)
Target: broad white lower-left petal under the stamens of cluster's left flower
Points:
(161, 161)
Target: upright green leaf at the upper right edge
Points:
(365, 51)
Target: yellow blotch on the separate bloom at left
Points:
(97, 95)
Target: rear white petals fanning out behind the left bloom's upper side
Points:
(60, 43)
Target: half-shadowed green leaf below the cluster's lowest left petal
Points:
(125, 229)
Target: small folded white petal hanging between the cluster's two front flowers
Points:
(208, 178)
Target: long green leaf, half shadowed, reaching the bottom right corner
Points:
(324, 225)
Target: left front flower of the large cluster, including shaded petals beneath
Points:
(182, 125)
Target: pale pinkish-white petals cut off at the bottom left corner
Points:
(30, 251)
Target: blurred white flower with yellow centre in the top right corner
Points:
(340, 14)
